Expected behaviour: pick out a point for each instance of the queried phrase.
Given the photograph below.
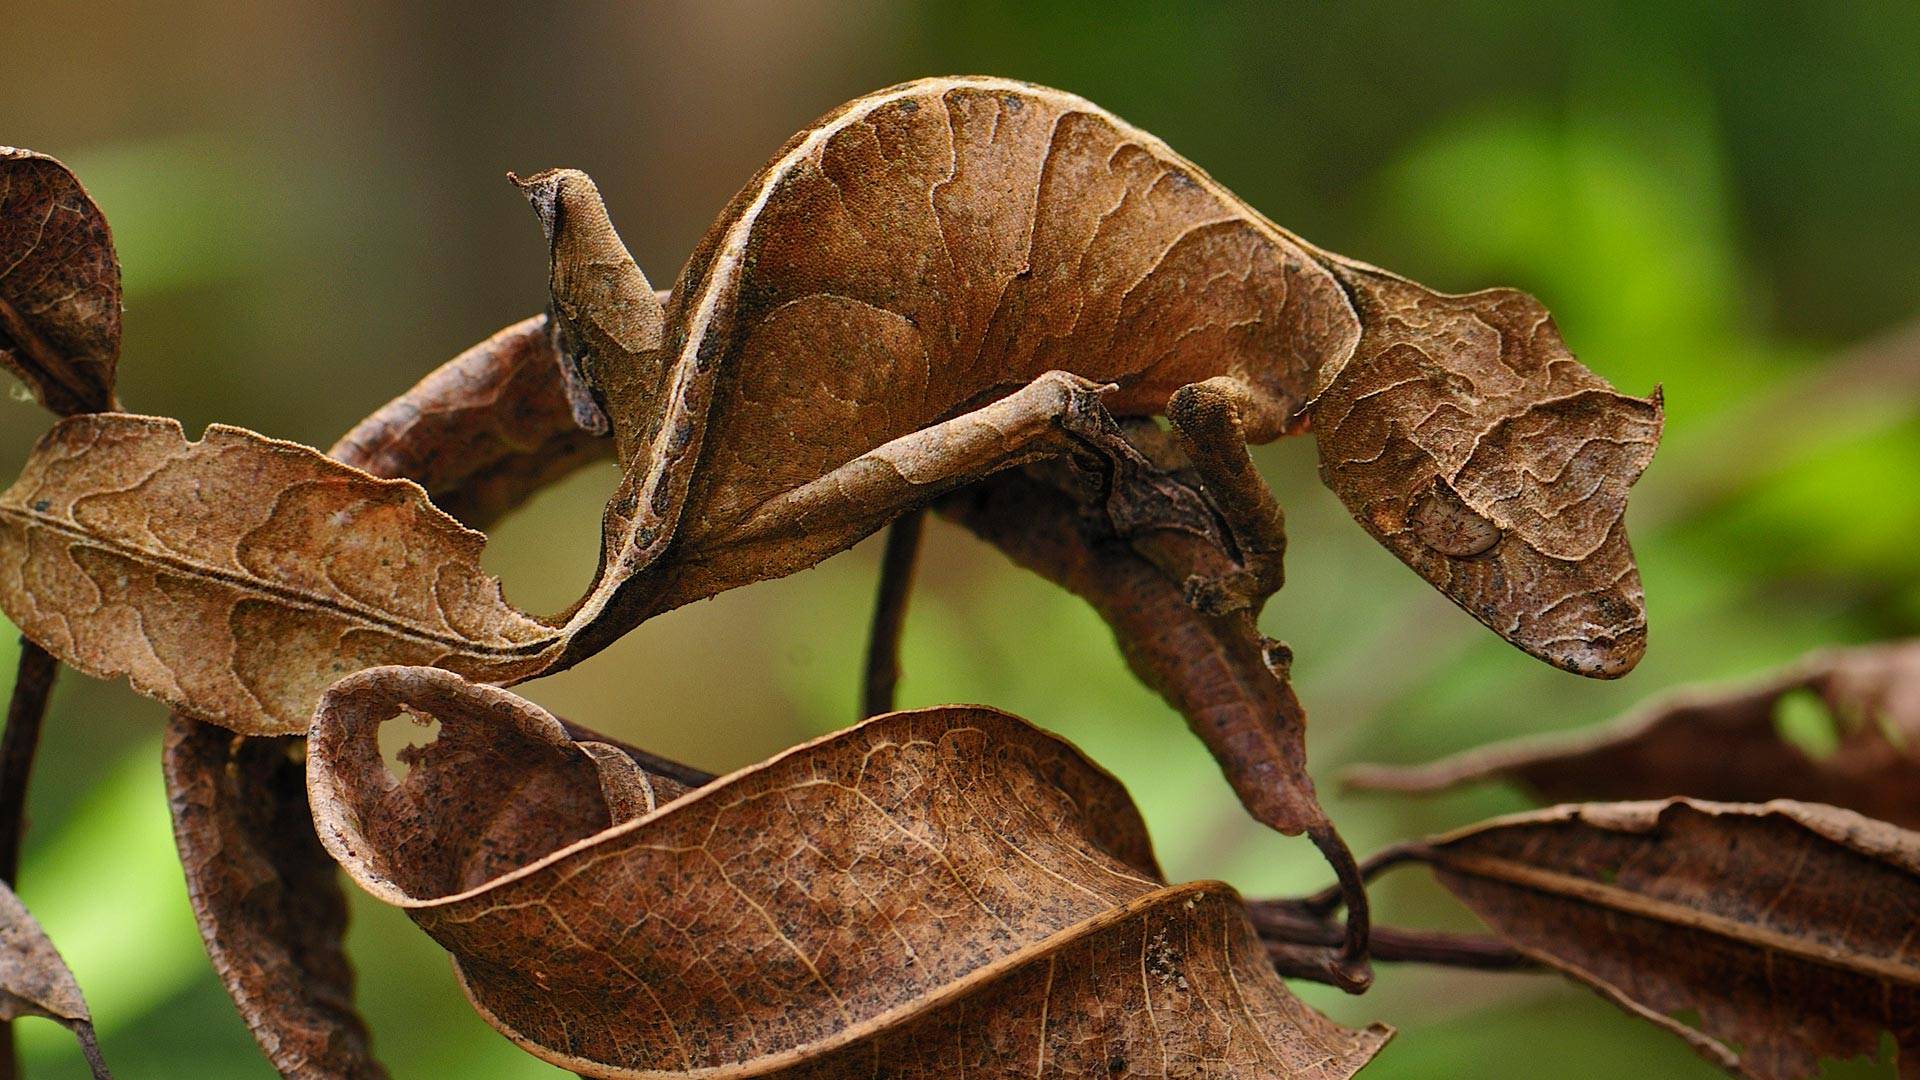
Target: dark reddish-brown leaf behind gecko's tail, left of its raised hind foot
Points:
(483, 431)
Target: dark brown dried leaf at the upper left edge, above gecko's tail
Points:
(60, 291)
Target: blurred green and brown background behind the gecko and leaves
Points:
(310, 209)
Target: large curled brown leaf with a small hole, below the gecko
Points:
(923, 895)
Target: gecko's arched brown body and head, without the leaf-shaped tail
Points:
(932, 247)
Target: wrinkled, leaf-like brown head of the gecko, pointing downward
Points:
(1470, 441)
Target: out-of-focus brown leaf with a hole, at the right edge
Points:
(1723, 745)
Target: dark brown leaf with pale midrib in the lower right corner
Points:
(1788, 929)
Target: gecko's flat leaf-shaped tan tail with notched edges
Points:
(239, 576)
